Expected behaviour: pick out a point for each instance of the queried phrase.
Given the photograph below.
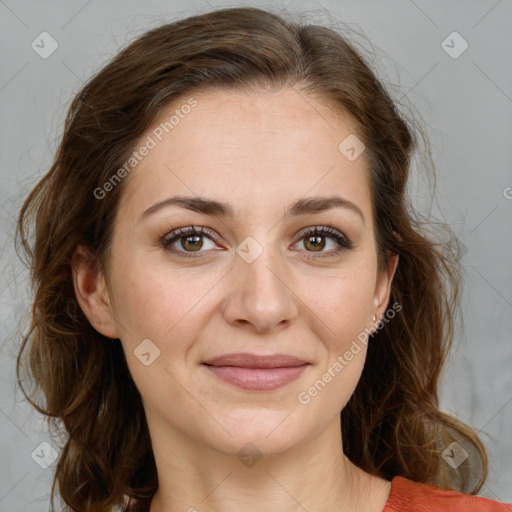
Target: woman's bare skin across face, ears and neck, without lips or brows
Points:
(259, 151)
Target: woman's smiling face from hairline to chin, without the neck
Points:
(257, 280)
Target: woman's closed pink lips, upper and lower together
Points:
(253, 372)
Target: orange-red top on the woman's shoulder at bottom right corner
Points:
(407, 495)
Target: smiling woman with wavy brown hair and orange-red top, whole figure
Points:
(228, 274)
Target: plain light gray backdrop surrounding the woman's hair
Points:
(465, 101)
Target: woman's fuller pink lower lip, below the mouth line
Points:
(257, 379)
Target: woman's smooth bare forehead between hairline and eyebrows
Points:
(251, 149)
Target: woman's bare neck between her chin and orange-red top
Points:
(314, 476)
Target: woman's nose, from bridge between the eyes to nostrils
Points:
(260, 296)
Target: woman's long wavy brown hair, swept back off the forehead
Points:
(392, 424)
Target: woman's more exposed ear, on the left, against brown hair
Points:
(92, 293)
